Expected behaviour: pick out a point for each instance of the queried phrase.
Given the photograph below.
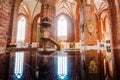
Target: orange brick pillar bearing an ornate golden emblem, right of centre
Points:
(89, 24)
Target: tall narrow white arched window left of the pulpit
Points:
(21, 29)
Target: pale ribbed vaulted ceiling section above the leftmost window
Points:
(30, 7)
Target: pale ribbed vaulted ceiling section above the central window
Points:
(66, 6)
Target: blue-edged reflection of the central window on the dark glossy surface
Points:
(62, 67)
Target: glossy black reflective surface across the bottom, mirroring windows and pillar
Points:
(52, 65)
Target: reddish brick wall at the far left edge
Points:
(5, 15)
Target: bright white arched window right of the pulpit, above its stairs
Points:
(62, 26)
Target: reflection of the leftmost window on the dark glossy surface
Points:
(19, 58)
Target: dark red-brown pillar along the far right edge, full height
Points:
(114, 9)
